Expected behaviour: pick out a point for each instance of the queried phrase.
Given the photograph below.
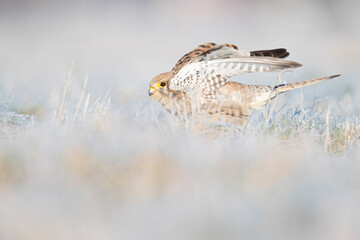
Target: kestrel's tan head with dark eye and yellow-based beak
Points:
(159, 86)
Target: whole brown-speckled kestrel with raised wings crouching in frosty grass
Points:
(200, 82)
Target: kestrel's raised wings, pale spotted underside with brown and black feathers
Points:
(209, 69)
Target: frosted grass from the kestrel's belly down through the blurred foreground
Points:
(93, 170)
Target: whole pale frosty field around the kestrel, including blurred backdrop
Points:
(84, 153)
